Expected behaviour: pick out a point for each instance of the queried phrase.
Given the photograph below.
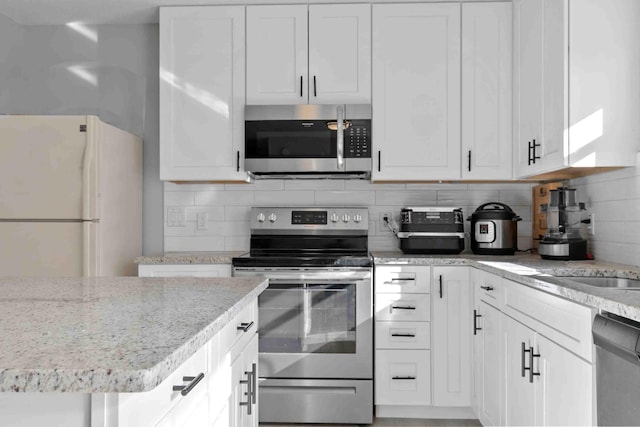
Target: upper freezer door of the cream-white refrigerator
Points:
(47, 168)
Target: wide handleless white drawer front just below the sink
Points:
(563, 321)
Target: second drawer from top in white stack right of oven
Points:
(411, 307)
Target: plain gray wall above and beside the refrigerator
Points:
(106, 70)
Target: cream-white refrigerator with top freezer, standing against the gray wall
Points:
(70, 197)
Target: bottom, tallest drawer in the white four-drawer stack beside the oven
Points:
(403, 377)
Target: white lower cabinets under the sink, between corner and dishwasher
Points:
(532, 356)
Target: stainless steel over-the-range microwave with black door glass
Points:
(308, 140)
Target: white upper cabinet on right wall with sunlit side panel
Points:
(575, 86)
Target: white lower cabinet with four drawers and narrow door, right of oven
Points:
(423, 341)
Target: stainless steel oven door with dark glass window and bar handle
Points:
(315, 324)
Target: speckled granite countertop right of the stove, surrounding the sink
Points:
(546, 275)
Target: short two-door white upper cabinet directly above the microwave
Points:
(299, 54)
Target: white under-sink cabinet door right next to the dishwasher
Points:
(564, 387)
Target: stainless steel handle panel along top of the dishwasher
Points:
(617, 335)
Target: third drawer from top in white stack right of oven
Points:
(406, 335)
